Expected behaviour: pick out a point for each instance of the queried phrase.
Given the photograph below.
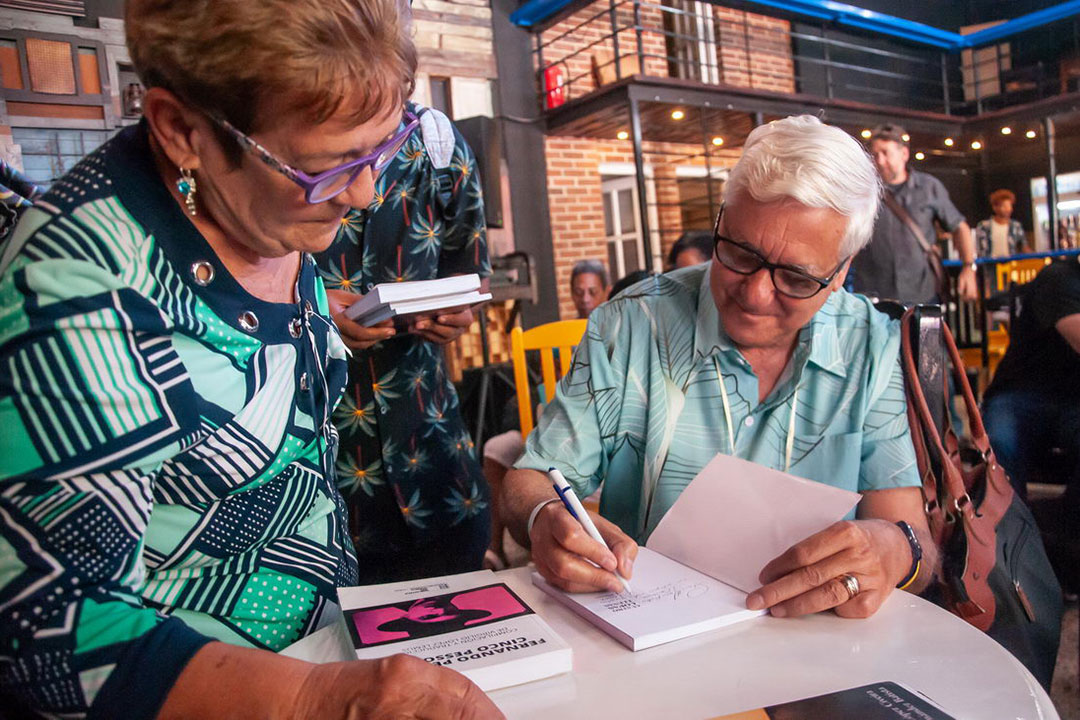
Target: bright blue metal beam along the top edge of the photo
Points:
(535, 12)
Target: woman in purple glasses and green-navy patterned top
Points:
(169, 517)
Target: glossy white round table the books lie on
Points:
(769, 661)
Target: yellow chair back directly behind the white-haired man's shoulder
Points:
(564, 335)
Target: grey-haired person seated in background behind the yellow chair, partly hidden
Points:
(589, 289)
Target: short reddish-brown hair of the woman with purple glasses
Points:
(235, 58)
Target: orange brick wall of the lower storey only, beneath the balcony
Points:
(576, 199)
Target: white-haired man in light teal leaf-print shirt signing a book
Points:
(760, 355)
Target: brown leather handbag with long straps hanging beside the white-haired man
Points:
(995, 573)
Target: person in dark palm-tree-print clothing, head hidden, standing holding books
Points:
(417, 499)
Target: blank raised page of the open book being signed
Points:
(736, 517)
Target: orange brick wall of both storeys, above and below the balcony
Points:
(754, 51)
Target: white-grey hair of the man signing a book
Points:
(819, 166)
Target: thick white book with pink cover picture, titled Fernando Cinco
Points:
(471, 623)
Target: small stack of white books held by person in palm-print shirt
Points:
(391, 301)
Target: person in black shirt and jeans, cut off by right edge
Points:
(1033, 404)
